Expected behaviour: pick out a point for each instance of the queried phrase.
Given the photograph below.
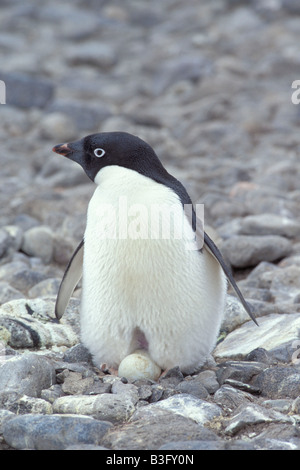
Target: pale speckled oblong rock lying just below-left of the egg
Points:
(106, 407)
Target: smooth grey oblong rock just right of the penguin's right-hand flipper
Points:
(244, 251)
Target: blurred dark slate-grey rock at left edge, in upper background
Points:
(25, 91)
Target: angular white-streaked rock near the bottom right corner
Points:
(251, 415)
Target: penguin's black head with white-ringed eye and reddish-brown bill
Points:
(97, 151)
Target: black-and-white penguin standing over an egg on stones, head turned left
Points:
(156, 293)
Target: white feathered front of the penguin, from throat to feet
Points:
(143, 291)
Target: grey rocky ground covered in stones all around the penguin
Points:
(208, 85)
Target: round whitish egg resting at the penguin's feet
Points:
(139, 365)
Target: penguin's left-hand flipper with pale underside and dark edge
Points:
(69, 281)
